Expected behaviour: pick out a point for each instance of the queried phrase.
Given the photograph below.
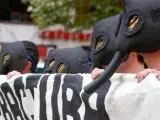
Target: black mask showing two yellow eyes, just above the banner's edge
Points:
(69, 60)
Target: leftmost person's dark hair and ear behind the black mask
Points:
(32, 56)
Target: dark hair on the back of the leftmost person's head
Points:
(32, 52)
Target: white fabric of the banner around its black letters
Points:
(125, 100)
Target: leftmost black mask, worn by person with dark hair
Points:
(13, 57)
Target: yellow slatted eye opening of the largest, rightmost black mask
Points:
(133, 22)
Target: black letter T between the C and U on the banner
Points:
(31, 83)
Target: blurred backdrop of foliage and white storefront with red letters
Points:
(53, 24)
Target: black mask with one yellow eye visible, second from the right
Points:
(103, 41)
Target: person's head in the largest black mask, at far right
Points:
(139, 32)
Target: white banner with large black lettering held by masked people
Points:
(61, 97)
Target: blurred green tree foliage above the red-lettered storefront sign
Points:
(80, 14)
